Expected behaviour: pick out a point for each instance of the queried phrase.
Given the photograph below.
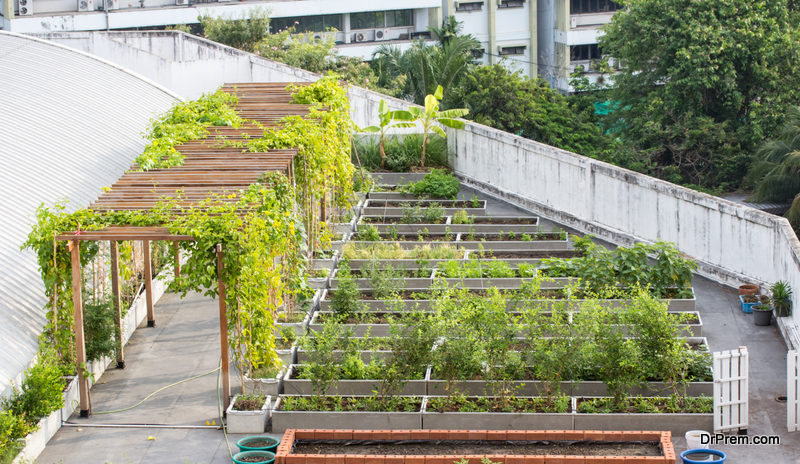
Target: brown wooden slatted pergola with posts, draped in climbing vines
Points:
(211, 168)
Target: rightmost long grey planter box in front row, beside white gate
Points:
(678, 424)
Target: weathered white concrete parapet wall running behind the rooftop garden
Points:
(732, 243)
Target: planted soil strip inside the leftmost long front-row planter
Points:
(350, 403)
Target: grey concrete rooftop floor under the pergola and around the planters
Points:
(185, 343)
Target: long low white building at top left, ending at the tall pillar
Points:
(361, 25)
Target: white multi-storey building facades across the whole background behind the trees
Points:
(544, 38)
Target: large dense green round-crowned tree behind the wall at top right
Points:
(702, 81)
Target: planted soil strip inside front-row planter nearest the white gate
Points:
(644, 405)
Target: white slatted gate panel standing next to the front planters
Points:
(731, 391)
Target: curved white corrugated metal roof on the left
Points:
(70, 123)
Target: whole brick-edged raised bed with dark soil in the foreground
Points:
(448, 446)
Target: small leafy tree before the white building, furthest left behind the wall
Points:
(241, 33)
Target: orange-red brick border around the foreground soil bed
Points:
(283, 454)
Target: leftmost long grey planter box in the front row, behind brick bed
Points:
(378, 420)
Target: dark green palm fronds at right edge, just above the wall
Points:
(777, 169)
